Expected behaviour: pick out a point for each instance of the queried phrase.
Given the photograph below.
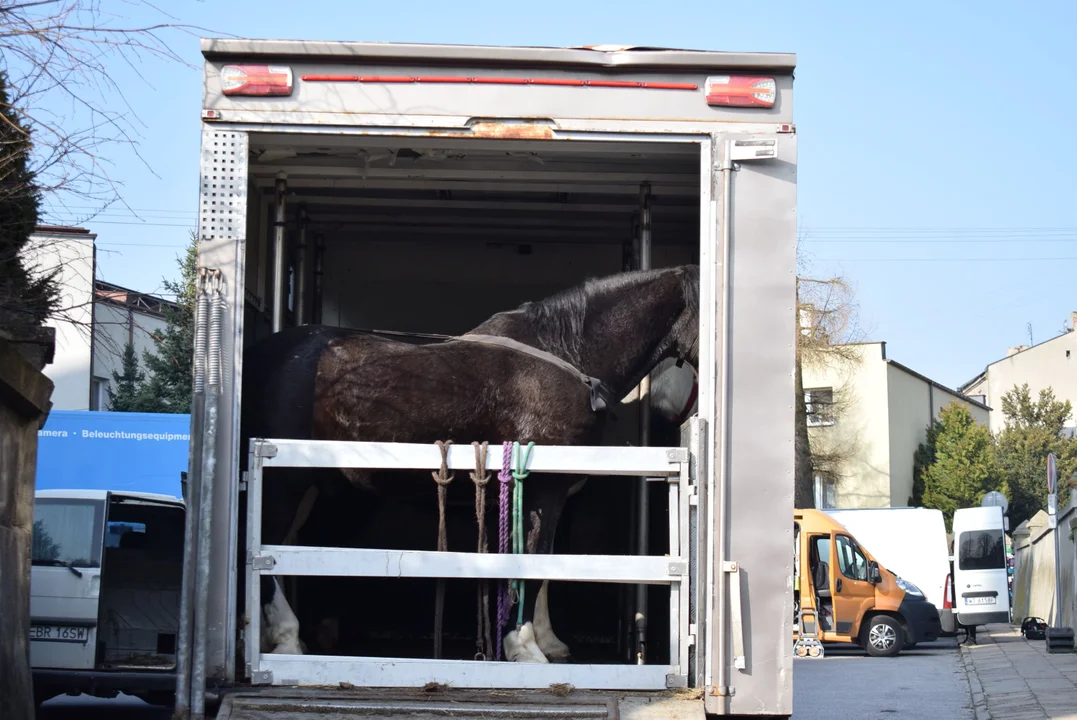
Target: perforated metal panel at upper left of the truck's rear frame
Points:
(222, 213)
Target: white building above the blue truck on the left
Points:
(96, 320)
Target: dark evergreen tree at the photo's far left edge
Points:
(25, 301)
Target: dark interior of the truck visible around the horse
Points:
(433, 236)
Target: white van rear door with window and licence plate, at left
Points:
(65, 582)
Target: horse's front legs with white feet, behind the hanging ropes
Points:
(543, 502)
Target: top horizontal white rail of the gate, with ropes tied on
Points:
(578, 460)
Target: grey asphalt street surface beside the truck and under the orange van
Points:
(927, 683)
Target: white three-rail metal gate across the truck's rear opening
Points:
(669, 465)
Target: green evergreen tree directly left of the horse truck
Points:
(170, 363)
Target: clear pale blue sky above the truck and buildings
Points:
(939, 158)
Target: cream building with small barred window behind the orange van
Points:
(866, 417)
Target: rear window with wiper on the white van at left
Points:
(67, 532)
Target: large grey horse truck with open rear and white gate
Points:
(419, 191)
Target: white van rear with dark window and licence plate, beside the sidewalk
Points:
(982, 573)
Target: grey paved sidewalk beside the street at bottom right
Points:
(1012, 679)
